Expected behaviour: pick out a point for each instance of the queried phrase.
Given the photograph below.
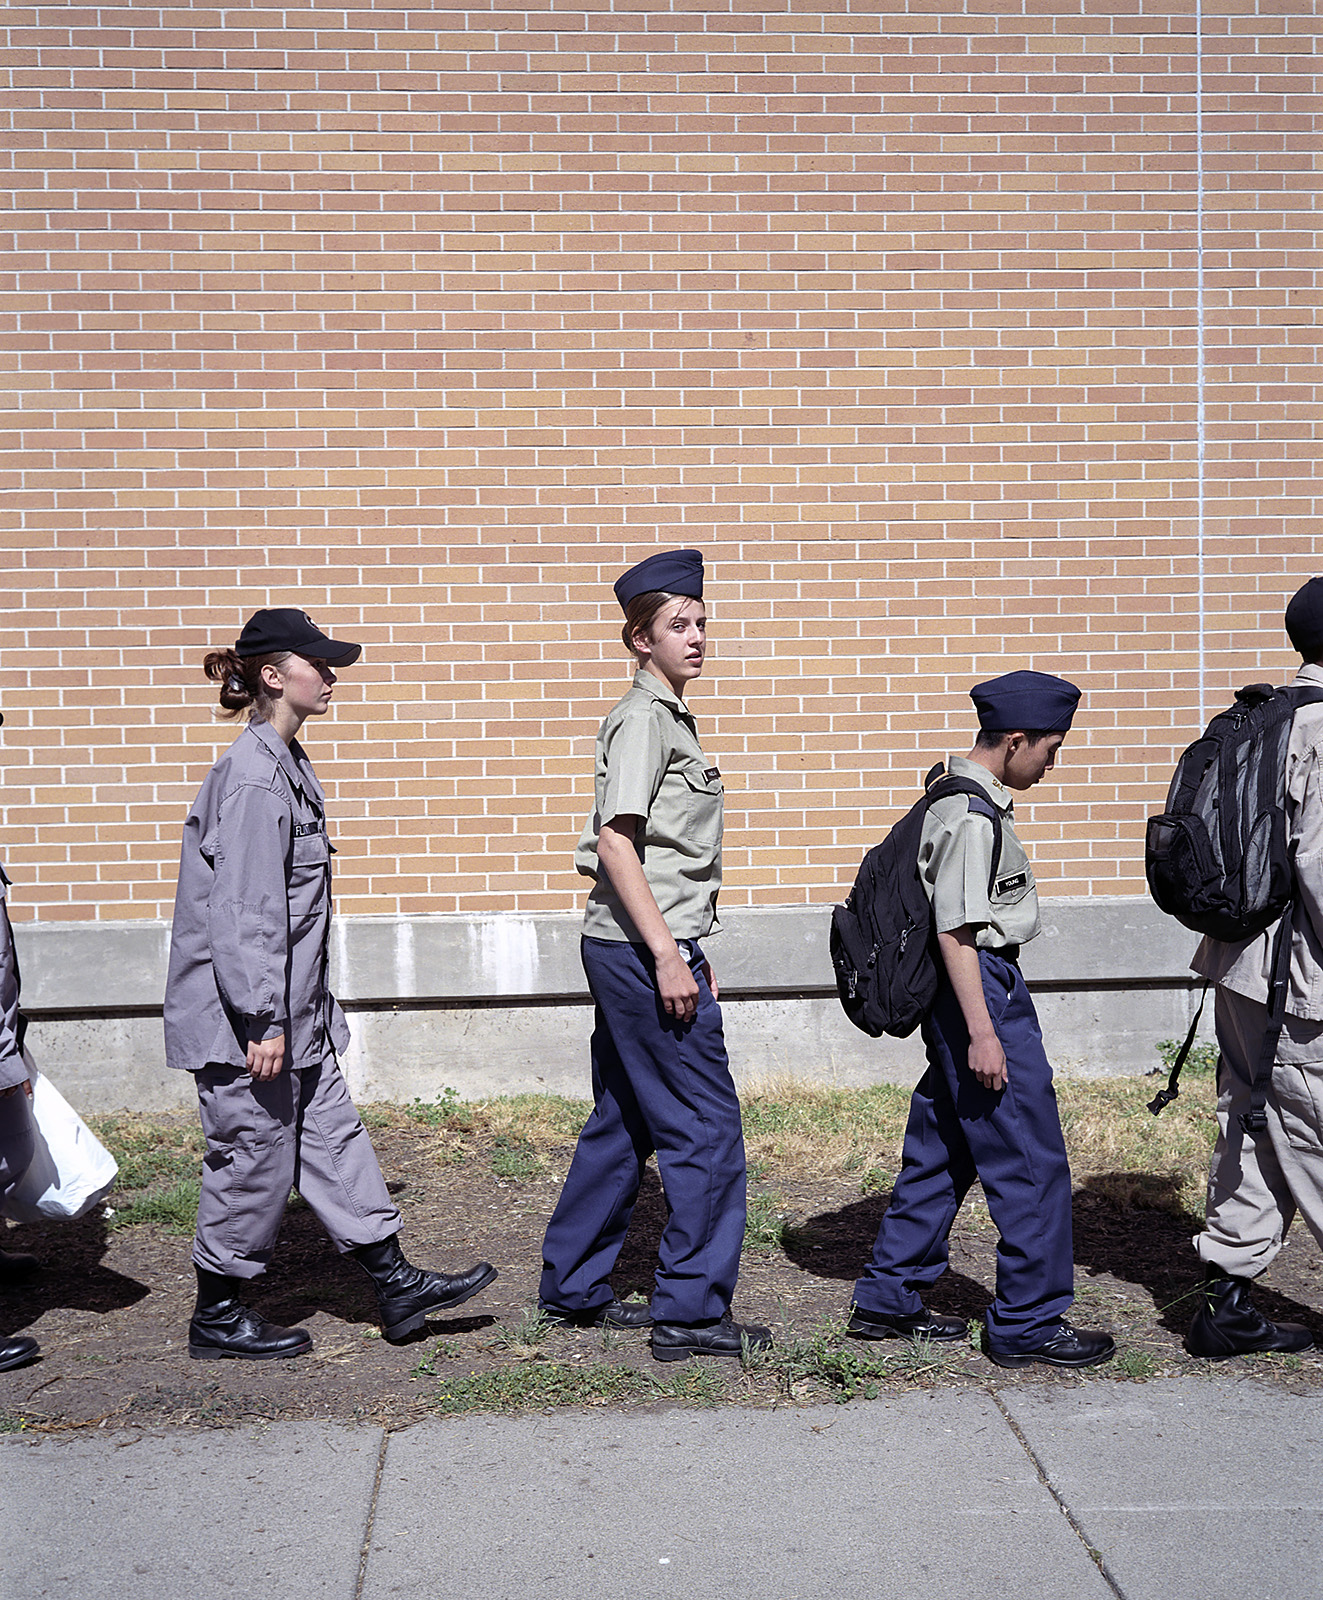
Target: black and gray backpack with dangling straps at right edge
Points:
(1218, 858)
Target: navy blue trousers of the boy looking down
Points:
(1010, 1140)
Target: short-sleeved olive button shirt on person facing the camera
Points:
(652, 766)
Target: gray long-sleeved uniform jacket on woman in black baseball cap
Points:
(254, 914)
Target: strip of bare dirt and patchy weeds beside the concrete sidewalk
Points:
(113, 1305)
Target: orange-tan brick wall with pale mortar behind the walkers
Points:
(431, 321)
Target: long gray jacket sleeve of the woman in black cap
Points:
(249, 919)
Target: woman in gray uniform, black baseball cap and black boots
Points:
(249, 1010)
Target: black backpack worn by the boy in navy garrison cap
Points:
(882, 938)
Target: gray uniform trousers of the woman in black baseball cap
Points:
(298, 1130)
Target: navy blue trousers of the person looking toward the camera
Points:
(663, 1087)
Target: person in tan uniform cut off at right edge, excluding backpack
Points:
(1263, 1175)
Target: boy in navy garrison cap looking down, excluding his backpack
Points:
(986, 1105)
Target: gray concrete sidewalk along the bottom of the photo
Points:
(1180, 1487)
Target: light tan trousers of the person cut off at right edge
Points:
(1258, 1182)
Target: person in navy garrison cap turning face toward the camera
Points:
(660, 1073)
